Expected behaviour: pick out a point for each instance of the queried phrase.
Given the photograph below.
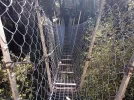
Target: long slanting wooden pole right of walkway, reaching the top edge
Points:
(92, 44)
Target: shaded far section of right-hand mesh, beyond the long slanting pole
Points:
(81, 45)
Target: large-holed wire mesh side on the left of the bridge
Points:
(22, 50)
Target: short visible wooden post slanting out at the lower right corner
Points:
(127, 75)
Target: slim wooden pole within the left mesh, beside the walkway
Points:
(40, 25)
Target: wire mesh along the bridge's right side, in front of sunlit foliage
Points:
(112, 50)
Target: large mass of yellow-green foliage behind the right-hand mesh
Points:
(112, 50)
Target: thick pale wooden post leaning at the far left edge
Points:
(7, 59)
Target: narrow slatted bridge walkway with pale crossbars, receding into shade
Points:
(65, 87)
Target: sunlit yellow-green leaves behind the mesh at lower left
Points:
(22, 73)
